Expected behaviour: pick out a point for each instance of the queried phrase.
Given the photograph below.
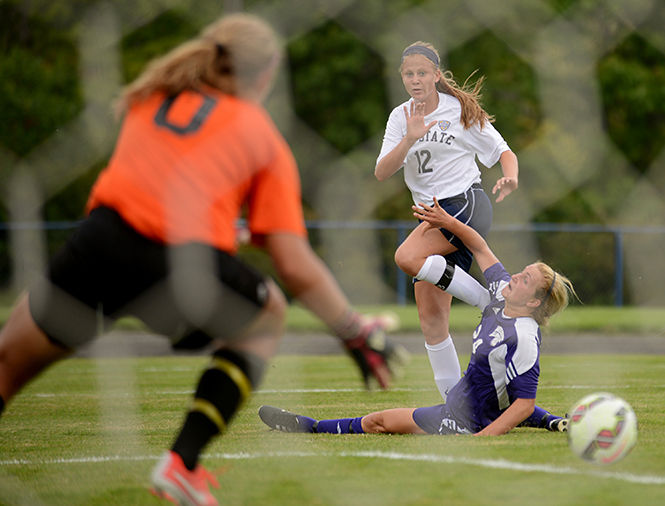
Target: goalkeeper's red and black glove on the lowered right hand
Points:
(375, 355)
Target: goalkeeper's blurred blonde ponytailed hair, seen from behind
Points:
(229, 54)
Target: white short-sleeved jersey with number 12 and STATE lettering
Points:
(443, 163)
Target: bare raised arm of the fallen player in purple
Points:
(437, 217)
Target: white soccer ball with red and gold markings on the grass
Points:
(602, 428)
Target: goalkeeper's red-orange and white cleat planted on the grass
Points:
(172, 481)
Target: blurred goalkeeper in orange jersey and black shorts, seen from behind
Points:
(196, 152)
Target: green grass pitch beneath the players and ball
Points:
(89, 431)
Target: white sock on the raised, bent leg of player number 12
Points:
(462, 285)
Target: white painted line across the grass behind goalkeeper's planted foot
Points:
(436, 459)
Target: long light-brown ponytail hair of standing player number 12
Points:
(468, 94)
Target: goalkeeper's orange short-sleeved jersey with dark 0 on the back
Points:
(184, 168)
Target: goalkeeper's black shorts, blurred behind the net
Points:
(191, 293)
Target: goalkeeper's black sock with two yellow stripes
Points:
(223, 387)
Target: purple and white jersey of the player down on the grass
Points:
(504, 362)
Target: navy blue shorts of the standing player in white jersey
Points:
(473, 208)
